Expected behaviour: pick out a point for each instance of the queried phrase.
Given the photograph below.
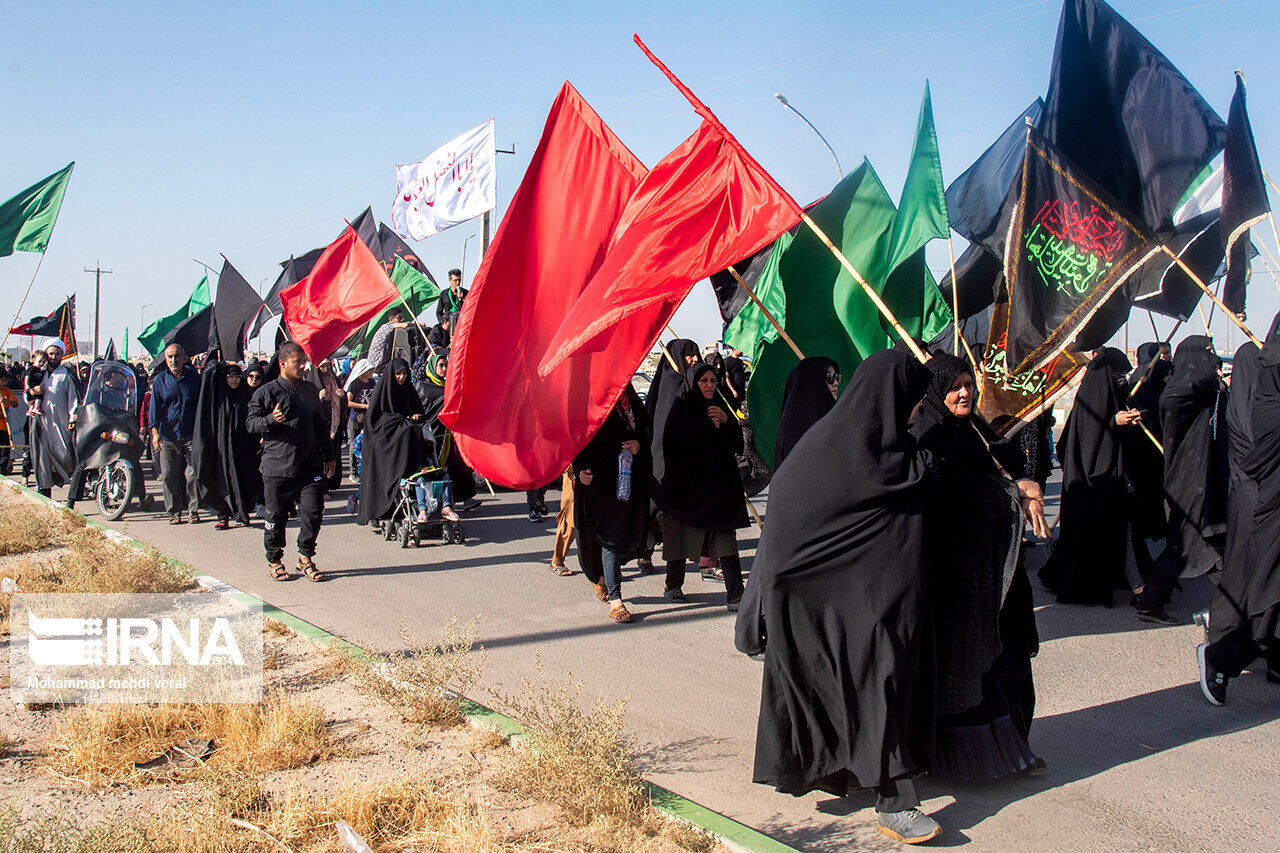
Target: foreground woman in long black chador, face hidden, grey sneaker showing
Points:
(839, 608)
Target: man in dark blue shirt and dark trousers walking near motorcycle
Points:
(175, 395)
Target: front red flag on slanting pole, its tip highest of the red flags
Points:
(705, 207)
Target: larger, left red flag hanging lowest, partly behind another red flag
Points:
(513, 426)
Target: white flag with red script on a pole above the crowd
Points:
(455, 184)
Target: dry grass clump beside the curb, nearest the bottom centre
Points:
(582, 760)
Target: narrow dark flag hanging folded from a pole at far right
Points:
(1245, 198)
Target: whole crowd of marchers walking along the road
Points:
(889, 599)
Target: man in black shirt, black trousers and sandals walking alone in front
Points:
(286, 413)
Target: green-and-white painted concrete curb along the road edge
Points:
(733, 834)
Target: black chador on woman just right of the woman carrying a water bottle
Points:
(702, 485)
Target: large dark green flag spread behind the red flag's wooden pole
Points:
(821, 305)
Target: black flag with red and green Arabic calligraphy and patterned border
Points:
(1068, 249)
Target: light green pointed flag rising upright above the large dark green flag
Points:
(922, 215)
